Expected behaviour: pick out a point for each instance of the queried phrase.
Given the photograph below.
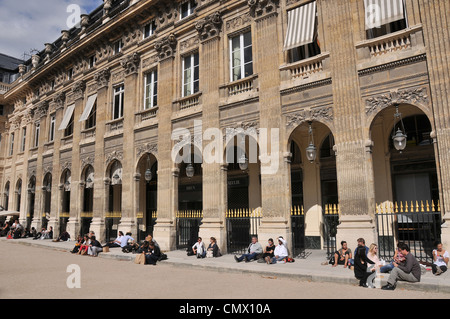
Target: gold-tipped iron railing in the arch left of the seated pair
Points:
(188, 226)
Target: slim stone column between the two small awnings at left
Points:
(73, 225)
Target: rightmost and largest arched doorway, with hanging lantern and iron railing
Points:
(406, 181)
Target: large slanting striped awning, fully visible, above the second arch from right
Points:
(301, 26)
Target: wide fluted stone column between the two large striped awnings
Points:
(353, 163)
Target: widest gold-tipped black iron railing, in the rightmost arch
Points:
(417, 224)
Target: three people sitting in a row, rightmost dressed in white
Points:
(271, 254)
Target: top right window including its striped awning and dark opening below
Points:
(384, 17)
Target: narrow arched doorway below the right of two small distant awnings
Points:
(88, 199)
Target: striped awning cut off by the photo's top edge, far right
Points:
(381, 12)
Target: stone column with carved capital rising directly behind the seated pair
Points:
(214, 178)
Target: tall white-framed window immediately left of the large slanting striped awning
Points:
(241, 56)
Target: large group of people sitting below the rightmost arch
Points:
(403, 267)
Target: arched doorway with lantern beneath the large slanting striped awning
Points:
(313, 186)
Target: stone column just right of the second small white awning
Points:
(100, 187)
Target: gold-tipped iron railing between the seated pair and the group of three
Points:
(242, 225)
